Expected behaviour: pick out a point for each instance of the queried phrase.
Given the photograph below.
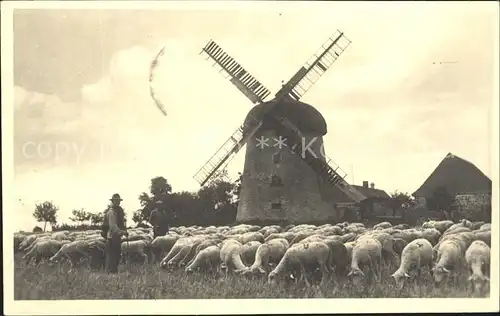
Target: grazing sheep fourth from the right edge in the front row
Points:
(367, 252)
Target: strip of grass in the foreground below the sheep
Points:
(52, 282)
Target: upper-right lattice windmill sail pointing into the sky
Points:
(315, 67)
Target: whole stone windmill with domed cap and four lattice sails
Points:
(291, 185)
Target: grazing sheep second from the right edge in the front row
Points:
(449, 257)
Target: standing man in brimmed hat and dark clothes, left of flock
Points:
(113, 229)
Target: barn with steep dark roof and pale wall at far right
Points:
(463, 181)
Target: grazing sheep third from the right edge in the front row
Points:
(416, 254)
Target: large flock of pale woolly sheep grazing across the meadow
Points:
(347, 252)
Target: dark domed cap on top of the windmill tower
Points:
(302, 115)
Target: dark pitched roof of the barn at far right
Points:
(457, 175)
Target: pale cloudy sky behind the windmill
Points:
(417, 82)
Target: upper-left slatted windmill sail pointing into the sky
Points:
(246, 83)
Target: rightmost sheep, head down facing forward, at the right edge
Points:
(477, 258)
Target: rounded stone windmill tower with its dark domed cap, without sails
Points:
(278, 186)
